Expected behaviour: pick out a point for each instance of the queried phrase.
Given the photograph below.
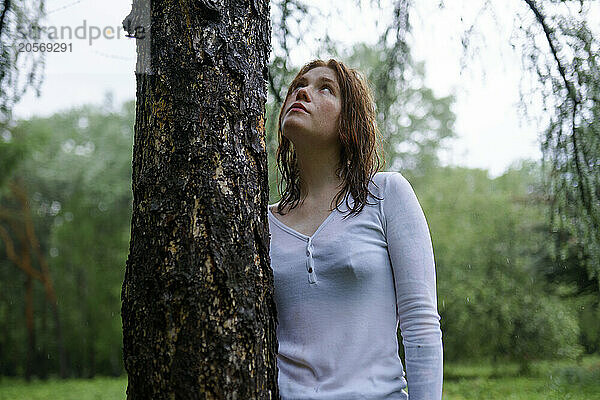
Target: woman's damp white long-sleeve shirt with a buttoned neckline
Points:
(341, 293)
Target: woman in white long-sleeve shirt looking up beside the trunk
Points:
(344, 282)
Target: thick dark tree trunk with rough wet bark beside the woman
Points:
(198, 309)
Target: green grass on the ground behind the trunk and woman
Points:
(547, 381)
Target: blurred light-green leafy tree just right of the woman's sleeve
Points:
(487, 240)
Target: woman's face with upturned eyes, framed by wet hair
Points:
(312, 110)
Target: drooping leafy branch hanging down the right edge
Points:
(573, 136)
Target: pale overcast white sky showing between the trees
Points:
(491, 131)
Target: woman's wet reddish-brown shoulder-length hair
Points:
(361, 154)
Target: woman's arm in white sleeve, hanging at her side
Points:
(411, 255)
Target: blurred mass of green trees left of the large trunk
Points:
(80, 210)
